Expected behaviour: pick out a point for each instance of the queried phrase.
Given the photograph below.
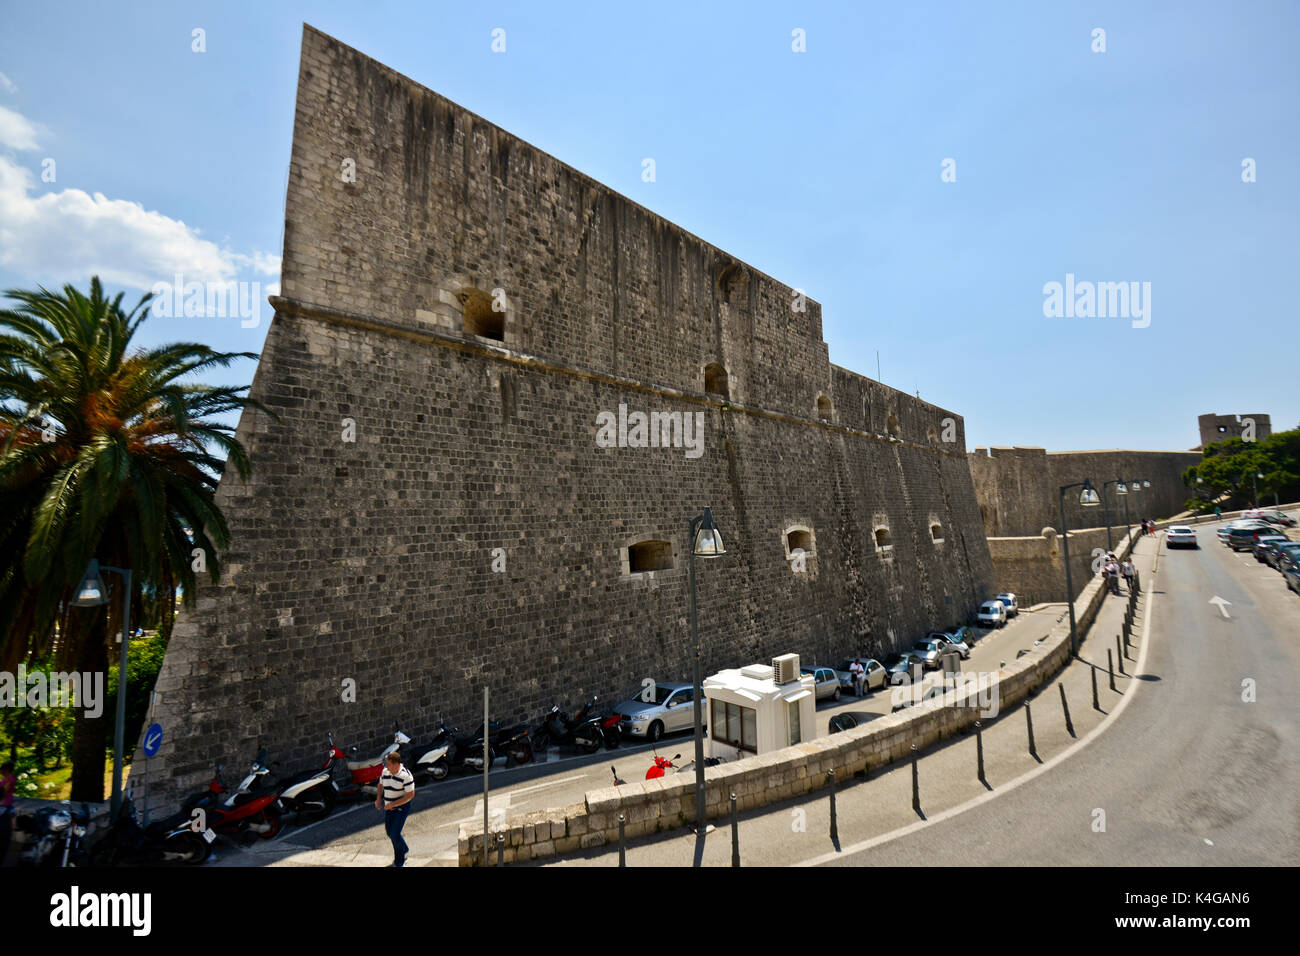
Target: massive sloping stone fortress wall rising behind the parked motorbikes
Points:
(434, 509)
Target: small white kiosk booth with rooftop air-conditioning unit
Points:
(760, 708)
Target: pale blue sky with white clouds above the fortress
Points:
(822, 168)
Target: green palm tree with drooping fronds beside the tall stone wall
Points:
(105, 453)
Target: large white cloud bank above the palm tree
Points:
(68, 236)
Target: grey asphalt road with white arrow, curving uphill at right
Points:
(1190, 773)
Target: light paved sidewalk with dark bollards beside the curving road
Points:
(878, 807)
